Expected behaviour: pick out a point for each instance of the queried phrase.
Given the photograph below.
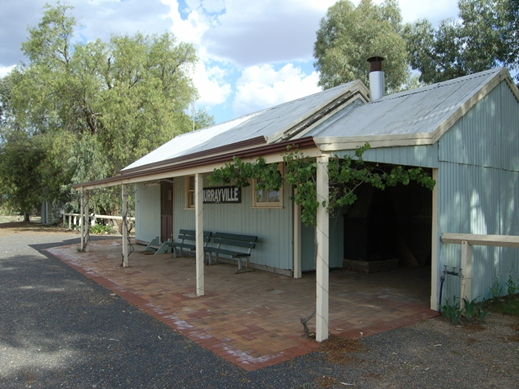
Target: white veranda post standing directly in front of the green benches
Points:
(199, 226)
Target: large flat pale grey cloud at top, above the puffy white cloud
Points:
(269, 31)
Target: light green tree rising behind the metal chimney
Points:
(349, 35)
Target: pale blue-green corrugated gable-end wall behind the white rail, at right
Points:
(478, 190)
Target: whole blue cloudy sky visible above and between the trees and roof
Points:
(253, 54)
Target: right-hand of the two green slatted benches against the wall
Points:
(231, 242)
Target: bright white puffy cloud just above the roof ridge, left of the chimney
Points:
(262, 86)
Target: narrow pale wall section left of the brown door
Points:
(147, 212)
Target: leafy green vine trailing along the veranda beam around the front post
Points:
(345, 175)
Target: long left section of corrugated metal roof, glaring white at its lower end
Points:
(262, 123)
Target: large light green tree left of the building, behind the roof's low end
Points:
(98, 106)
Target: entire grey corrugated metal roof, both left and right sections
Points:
(419, 112)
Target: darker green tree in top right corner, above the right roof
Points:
(485, 36)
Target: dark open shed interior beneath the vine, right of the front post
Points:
(392, 224)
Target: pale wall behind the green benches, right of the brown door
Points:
(273, 226)
